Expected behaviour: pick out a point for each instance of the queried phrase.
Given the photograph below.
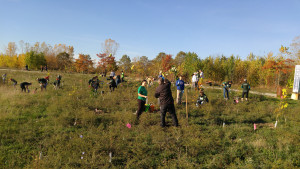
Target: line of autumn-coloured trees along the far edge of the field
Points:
(269, 70)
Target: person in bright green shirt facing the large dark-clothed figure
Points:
(142, 96)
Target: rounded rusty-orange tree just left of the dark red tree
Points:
(84, 63)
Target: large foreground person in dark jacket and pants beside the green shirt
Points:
(164, 93)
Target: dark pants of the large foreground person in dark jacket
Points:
(168, 108)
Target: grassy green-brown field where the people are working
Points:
(59, 129)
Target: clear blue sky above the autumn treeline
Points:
(148, 27)
